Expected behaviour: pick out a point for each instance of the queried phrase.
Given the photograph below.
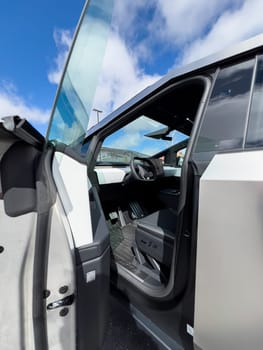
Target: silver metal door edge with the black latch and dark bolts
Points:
(61, 283)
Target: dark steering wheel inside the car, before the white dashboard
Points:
(143, 169)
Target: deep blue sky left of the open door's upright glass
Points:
(28, 51)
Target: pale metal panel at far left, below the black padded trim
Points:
(16, 269)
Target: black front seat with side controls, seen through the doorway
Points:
(155, 235)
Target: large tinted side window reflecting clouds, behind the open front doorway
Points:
(224, 123)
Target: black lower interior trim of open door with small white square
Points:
(93, 278)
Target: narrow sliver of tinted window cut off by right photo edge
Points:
(255, 128)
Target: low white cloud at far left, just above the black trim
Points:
(13, 104)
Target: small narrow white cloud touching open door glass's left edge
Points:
(63, 39)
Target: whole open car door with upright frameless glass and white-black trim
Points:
(54, 244)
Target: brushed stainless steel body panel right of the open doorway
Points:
(229, 279)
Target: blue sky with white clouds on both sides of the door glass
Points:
(151, 37)
